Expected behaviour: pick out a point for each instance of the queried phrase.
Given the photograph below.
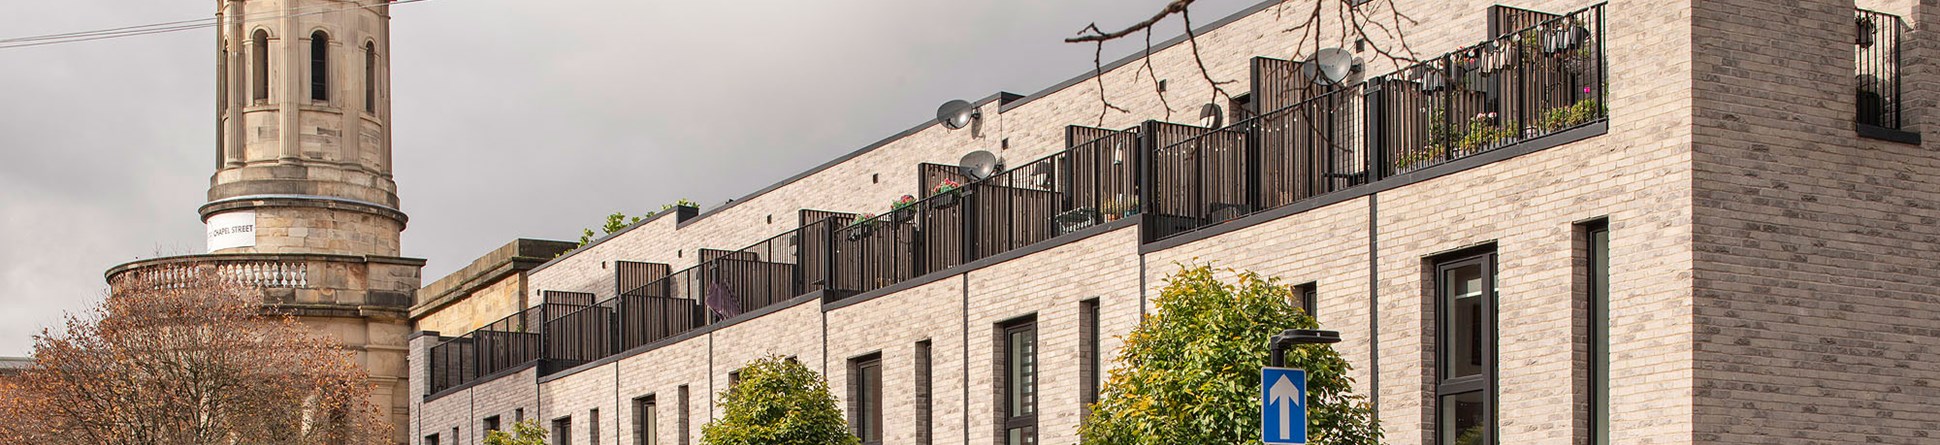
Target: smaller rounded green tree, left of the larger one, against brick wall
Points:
(779, 401)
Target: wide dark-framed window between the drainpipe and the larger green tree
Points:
(1019, 362)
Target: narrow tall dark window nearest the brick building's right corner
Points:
(1600, 329)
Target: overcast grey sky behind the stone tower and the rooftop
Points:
(511, 120)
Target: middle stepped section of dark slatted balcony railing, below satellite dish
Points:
(1025, 205)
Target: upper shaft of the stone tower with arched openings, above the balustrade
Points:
(304, 125)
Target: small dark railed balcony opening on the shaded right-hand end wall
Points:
(1877, 42)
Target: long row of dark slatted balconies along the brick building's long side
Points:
(1312, 145)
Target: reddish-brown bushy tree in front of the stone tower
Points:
(199, 362)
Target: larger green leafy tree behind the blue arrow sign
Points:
(1190, 374)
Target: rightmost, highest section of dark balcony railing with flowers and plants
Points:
(1524, 85)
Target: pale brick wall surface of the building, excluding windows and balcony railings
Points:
(1772, 271)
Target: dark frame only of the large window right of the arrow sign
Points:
(1487, 325)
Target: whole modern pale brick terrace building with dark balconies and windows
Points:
(1633, 222)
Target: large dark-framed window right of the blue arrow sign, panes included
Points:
(1466, 318)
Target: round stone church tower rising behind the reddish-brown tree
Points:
(304, 203)
